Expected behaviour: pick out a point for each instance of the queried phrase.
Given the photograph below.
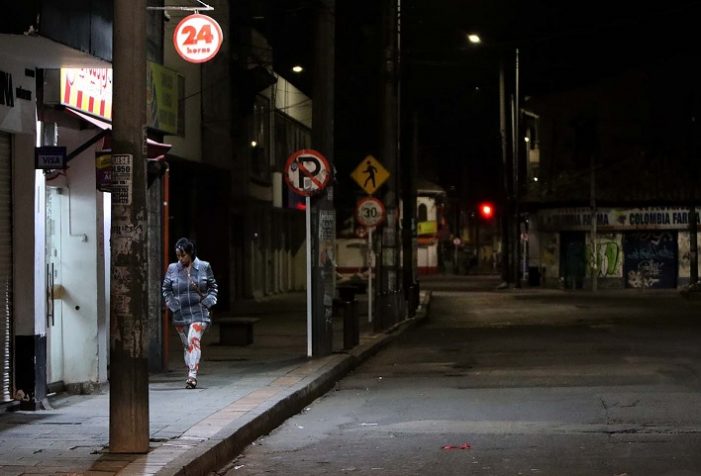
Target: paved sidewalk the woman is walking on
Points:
(242, 393)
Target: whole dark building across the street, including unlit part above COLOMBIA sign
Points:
(625, 148)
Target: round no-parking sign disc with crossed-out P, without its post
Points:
(307, 172)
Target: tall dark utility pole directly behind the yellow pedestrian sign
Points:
(389, 262)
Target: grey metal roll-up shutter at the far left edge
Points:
(5, 267)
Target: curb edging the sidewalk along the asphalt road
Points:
(224, 446)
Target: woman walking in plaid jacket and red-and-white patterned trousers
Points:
(190, 290)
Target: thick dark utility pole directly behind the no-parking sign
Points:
(323, 214)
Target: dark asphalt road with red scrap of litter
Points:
(513, 382)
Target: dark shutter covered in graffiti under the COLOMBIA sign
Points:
(650, 259)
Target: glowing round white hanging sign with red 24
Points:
(197, 38)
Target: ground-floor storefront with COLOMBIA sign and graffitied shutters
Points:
(634, 247)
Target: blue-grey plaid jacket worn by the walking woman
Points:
(181, 292)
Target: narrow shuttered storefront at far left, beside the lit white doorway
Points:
(20, 332)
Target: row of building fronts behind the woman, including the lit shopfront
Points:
(218, 135)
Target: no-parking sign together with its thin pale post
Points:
(307, 172)
